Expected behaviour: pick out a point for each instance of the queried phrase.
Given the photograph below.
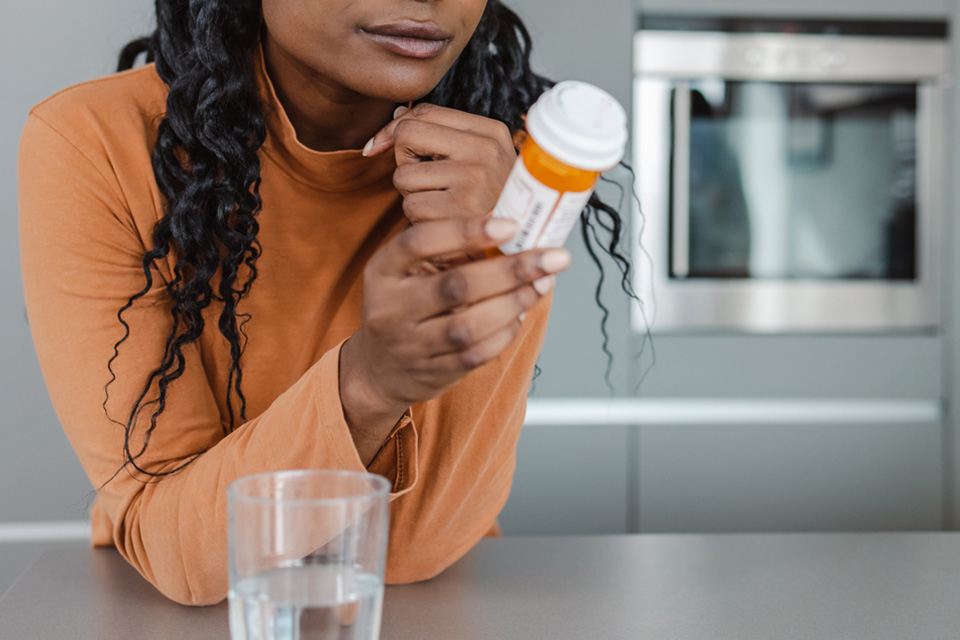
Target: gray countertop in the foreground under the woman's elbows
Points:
(785, 586)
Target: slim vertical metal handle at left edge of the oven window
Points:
(680, 216)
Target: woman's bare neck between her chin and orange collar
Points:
(326, 118)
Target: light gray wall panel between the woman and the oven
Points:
(584, 42)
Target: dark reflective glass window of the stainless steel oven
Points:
(811, 181)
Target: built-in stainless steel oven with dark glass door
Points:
(790, 174)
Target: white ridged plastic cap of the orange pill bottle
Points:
(580, 125)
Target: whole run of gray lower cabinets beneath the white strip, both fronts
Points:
(711, 478)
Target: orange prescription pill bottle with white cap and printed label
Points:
(575, 131)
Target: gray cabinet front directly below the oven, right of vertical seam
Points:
(824, 477)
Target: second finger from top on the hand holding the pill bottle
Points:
(471, 283)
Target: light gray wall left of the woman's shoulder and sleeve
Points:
(46, 46)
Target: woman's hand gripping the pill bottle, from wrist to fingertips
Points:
(422, 332)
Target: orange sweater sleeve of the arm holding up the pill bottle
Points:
(81, 261)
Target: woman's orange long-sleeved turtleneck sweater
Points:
(88, 206)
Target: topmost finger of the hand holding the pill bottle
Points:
(436, 238)
